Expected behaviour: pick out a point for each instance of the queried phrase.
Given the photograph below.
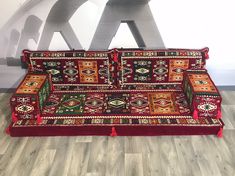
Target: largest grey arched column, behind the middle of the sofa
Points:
(137, 15)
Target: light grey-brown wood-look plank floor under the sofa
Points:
(131, 156)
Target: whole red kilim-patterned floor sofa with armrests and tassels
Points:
(116, 92)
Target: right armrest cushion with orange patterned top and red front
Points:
(202, 94)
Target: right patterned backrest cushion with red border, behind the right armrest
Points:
(144, 69)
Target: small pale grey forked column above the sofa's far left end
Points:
(30, 31)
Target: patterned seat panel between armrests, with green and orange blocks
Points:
(120, 104)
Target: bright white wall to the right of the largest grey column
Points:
(197, 23)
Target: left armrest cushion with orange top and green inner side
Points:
(30, 96)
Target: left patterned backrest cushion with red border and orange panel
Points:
(74, 70)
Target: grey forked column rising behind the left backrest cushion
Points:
(58, 21)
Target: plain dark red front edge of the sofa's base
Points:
(122, 130)
